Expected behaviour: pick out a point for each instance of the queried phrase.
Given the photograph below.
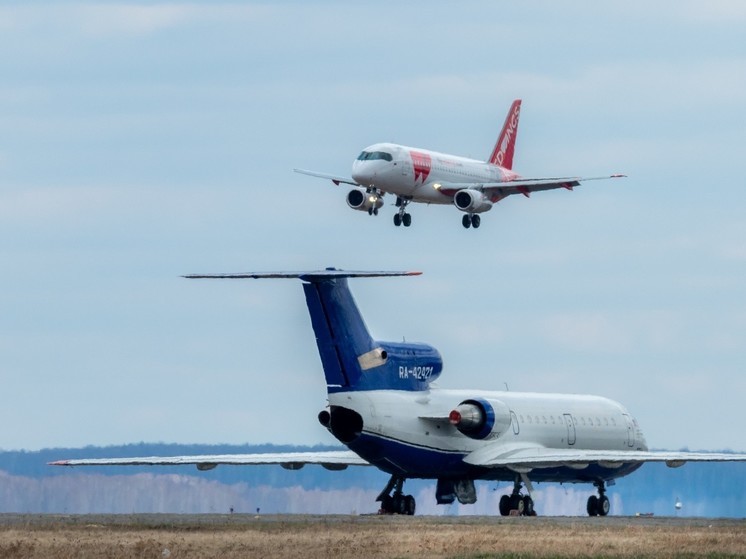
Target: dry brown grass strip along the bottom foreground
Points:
(311, 537)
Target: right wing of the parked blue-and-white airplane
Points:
(524, 459)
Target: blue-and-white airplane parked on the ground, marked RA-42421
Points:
(384, 406)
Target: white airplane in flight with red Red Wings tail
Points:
(429, 177)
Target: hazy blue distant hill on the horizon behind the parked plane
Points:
(28, 484)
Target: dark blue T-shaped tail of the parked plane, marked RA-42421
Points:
(351, 358)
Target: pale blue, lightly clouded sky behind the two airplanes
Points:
(143, 141)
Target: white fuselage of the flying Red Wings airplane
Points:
(419, 174)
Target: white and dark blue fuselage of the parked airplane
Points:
(408, 433)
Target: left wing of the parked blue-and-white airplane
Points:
(331, 460)
